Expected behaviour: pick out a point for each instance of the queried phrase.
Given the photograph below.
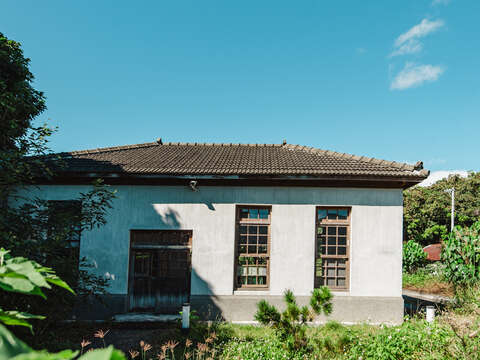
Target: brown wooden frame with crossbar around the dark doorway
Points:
(131, 248)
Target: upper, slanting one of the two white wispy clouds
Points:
(409, 43)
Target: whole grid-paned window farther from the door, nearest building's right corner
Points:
(332, 248)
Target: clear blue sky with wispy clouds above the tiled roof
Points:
(398, 80)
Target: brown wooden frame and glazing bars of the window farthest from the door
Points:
(326, 223)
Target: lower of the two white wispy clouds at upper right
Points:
(415, 75)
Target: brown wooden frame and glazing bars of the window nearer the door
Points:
(245, 222)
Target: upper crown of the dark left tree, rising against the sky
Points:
(20, 104)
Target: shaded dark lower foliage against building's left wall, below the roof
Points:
(35, 230)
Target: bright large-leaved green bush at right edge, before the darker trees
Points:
(461, 255)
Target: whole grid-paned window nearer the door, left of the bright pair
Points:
(253, 247)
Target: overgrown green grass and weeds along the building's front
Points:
(455, 334)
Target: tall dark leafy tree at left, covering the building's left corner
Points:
(29, 227)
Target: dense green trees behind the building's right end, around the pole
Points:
(427, 209)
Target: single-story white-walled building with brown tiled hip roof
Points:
(223, 226)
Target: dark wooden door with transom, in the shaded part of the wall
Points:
(160, 270)
